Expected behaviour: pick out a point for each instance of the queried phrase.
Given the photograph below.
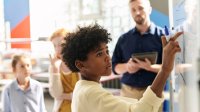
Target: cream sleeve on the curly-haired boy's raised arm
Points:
(105, 102)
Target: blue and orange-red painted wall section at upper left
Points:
(17, 14)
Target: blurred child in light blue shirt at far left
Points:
(23, 94)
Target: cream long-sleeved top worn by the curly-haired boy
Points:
(89, 96)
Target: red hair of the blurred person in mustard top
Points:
(59, 33)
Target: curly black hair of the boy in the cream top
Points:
(78, 44)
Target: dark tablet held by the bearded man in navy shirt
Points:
(151, 56)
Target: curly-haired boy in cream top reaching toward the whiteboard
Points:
(86, 51)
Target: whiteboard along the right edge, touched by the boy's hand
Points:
(185, 16)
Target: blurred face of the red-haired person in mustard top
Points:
(57, 41)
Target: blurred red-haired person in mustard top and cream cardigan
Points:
(62, 80)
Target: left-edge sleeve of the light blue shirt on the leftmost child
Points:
(6, 101)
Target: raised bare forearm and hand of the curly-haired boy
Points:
(169, 50)
